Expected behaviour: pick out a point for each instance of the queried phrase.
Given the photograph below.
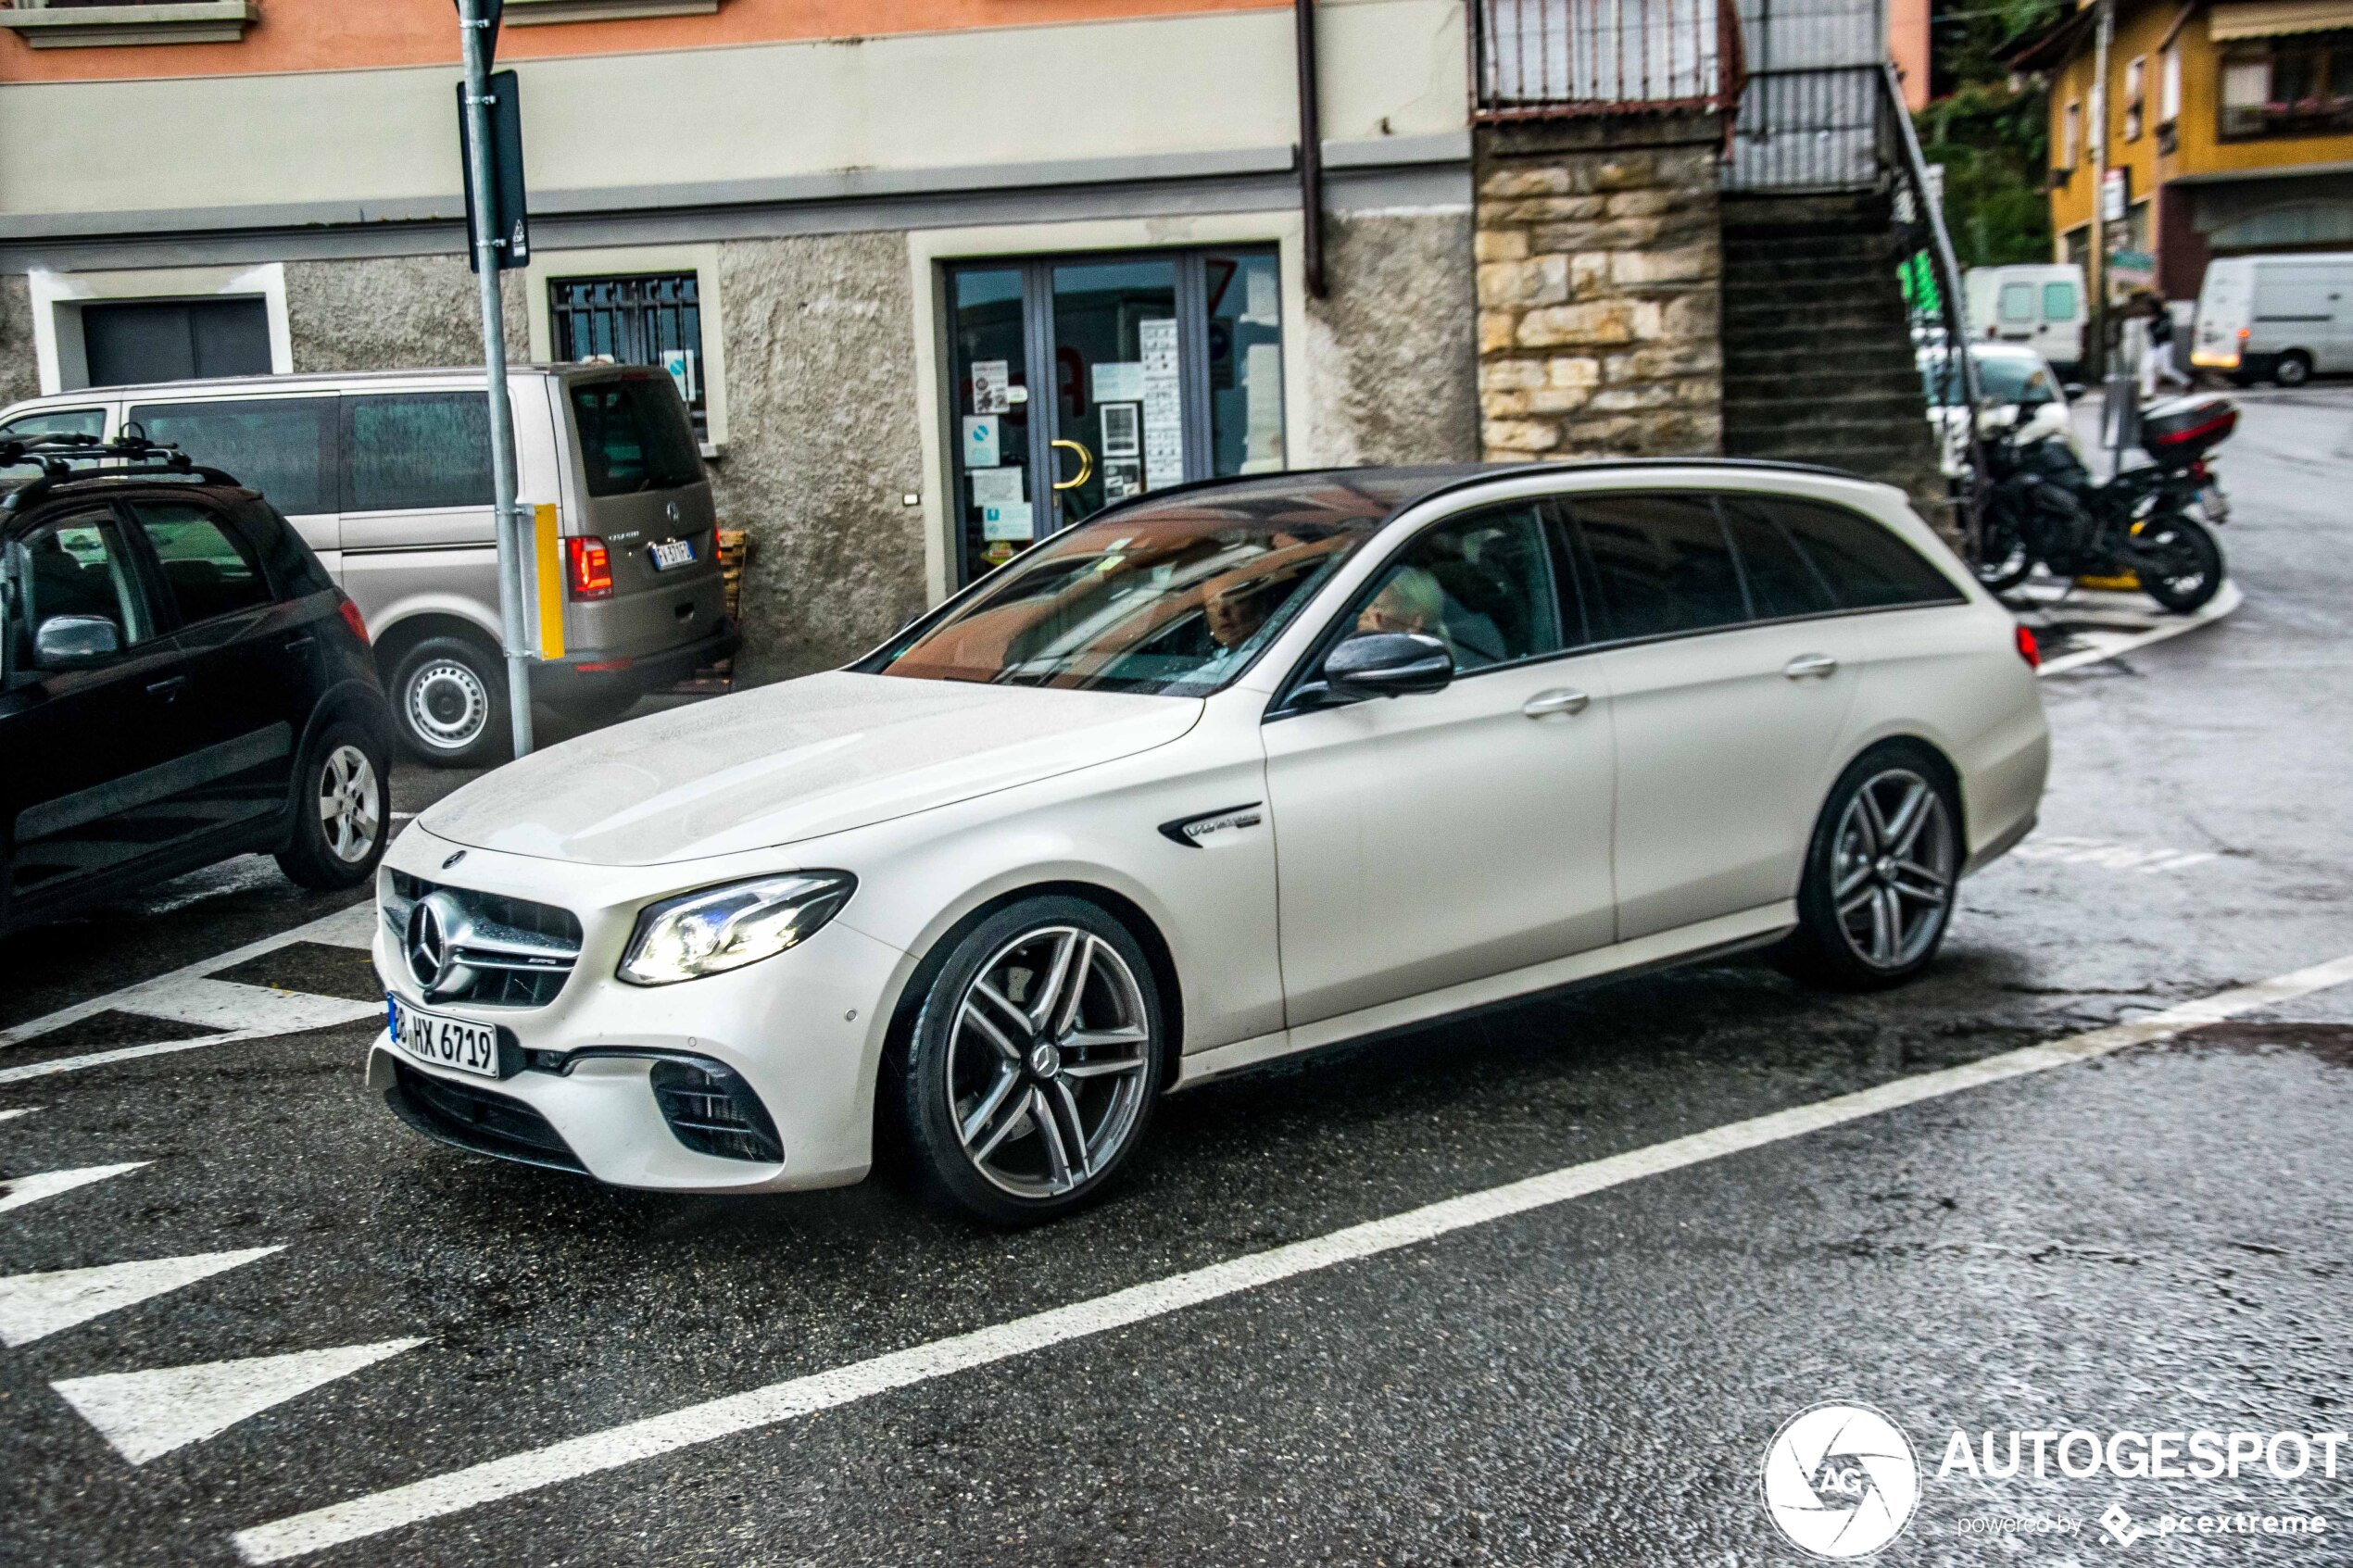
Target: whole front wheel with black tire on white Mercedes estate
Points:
(978, 1064)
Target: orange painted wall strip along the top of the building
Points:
(356, 34)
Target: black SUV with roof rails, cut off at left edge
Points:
(180, 683)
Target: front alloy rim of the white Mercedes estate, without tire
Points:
(1048, 1061)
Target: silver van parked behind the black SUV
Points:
(387, 476)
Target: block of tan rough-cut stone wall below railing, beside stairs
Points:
(1599, 288)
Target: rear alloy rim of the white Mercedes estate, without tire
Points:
(1893, 869)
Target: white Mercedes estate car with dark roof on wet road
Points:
(1225, 775)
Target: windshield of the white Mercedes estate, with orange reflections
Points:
(1166, 598)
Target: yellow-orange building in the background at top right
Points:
(2229, 130)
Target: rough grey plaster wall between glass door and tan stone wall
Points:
(1394, 344)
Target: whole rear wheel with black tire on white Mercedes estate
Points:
(1841, 946)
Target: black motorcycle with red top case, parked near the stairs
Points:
(2152, 521)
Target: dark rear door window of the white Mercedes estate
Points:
(1658, 565)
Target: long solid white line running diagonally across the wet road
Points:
(780, 1402)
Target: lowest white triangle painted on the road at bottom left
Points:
(156, 1412)
